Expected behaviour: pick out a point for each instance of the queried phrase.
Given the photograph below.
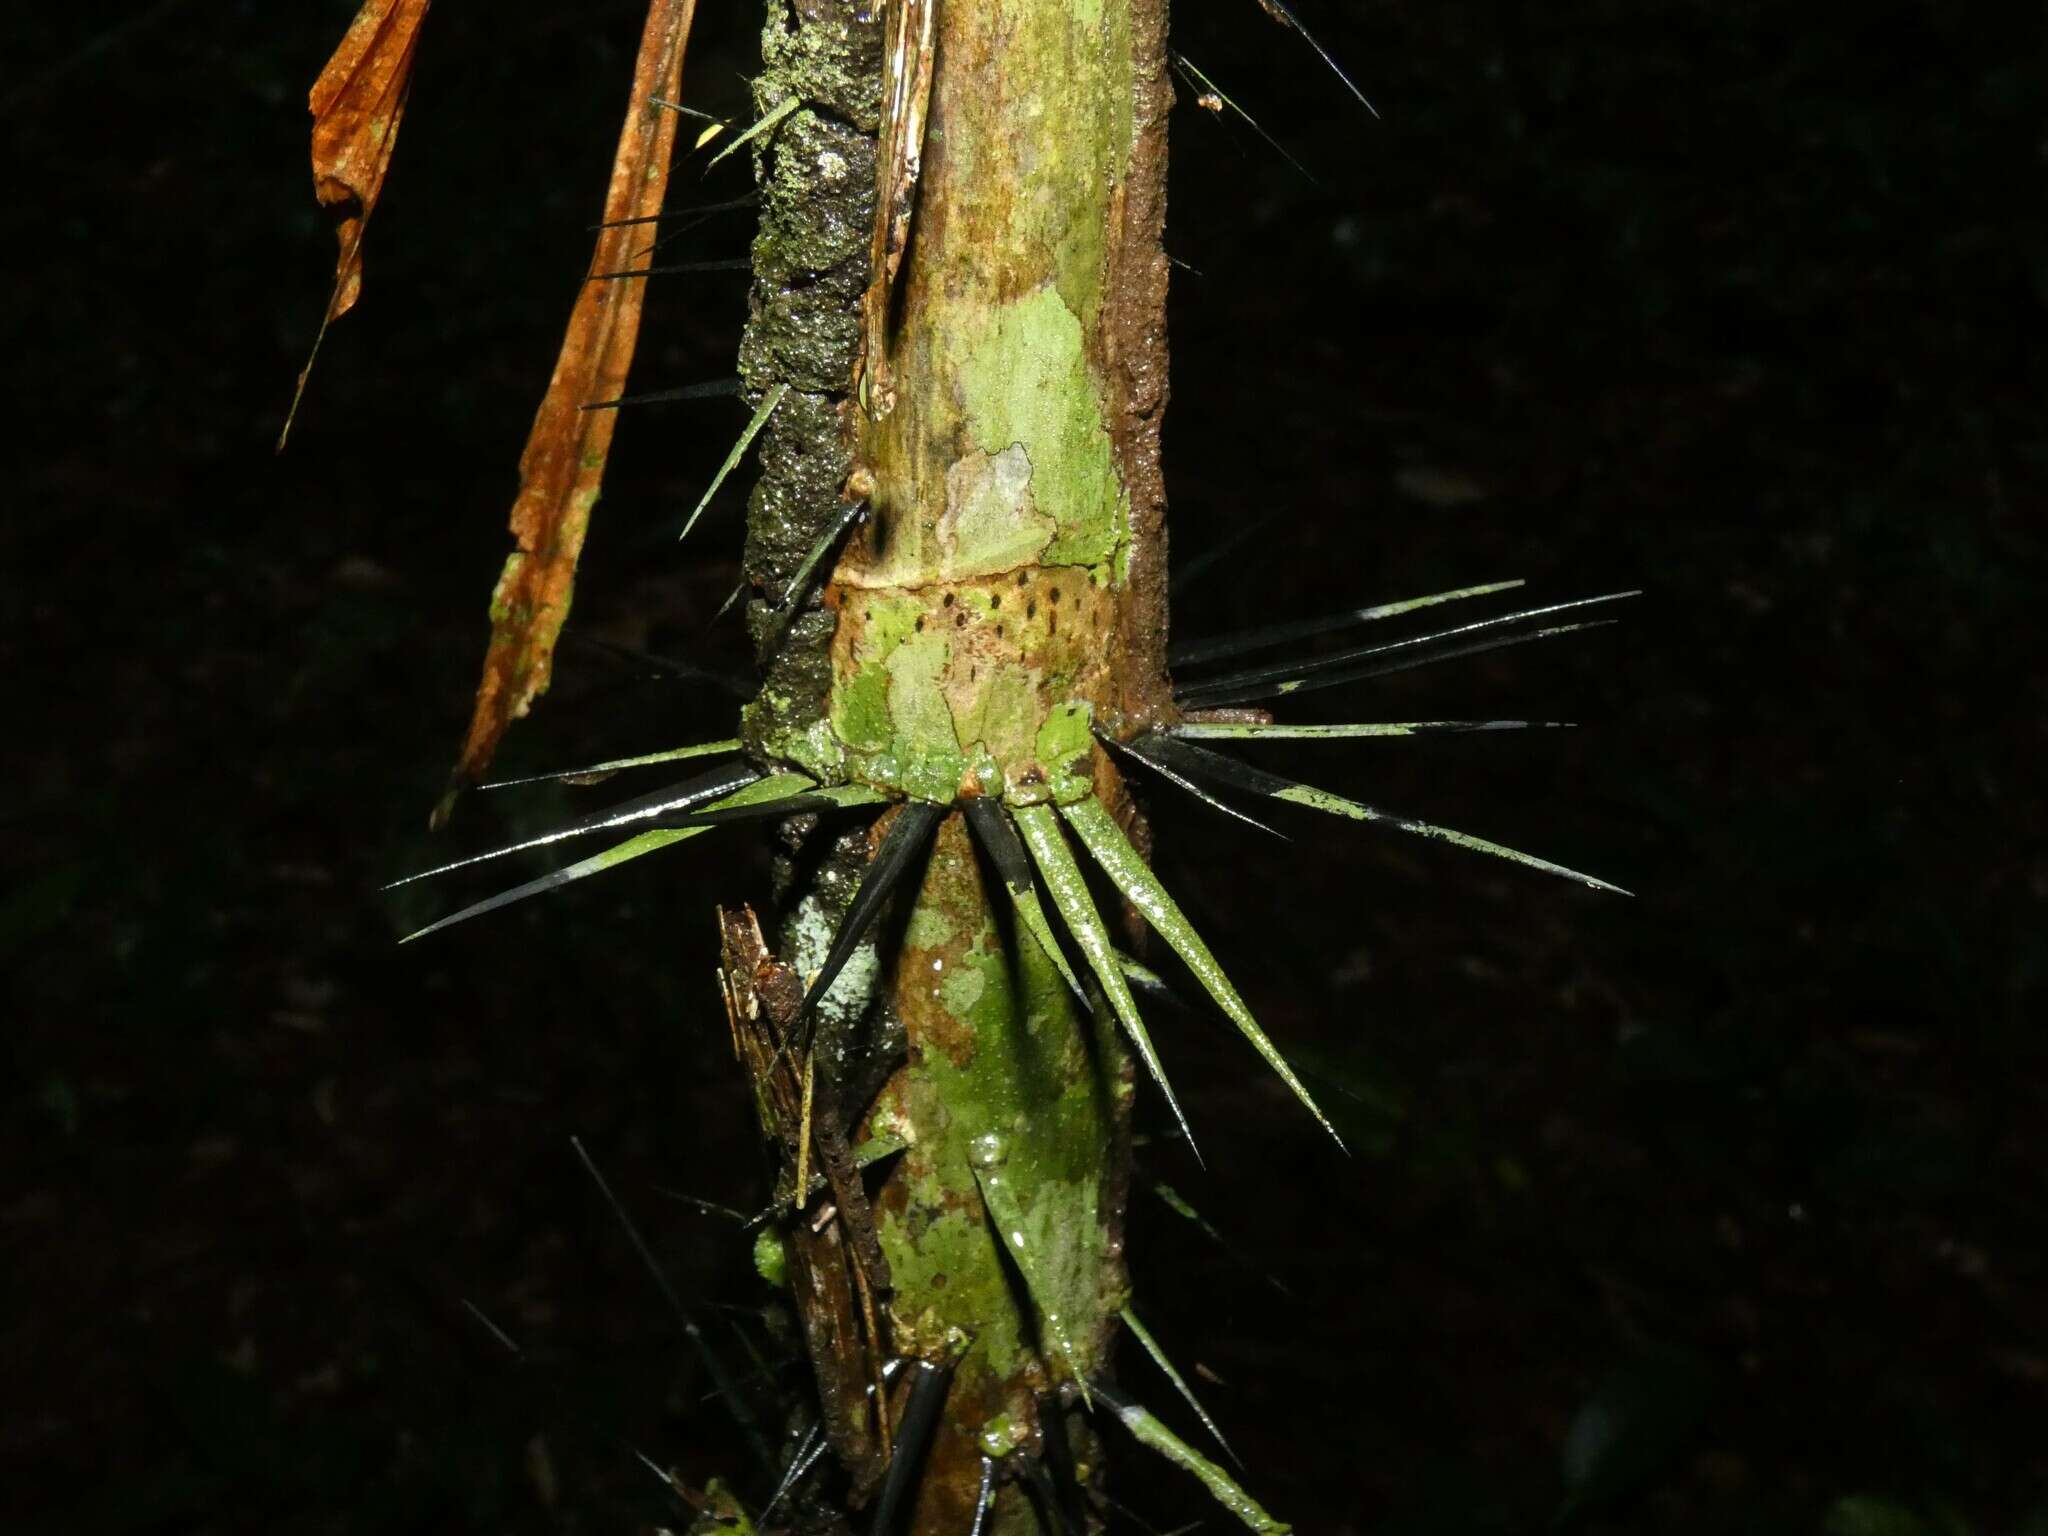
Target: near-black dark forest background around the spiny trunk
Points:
(1711, 1211)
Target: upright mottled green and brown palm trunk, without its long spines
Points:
(1002, 595)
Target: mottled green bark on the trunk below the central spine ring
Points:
(1002, 1222)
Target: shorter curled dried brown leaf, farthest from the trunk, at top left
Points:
(357, 105)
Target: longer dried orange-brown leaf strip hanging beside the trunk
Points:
(562, 468)
